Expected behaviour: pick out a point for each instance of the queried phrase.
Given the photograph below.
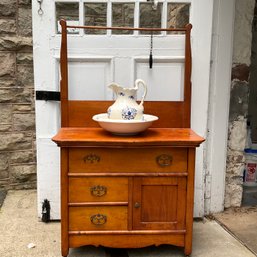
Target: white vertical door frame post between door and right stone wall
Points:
(219, 99)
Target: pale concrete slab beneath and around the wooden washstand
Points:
(19, 226)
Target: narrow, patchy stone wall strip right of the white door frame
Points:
(239, 101)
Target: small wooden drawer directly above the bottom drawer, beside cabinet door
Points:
(94, 189)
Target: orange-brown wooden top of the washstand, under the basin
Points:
(79, 137)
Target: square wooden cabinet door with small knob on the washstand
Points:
(159, 203)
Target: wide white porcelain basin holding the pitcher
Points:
(124, 127)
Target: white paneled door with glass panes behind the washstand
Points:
(95, 60)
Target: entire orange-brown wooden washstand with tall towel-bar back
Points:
(126, 192)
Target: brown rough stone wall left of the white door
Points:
(17, 115)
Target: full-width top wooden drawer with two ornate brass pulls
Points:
(155, 159)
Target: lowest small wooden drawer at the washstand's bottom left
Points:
(98, 218)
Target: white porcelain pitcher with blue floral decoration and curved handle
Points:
(125, 106)
